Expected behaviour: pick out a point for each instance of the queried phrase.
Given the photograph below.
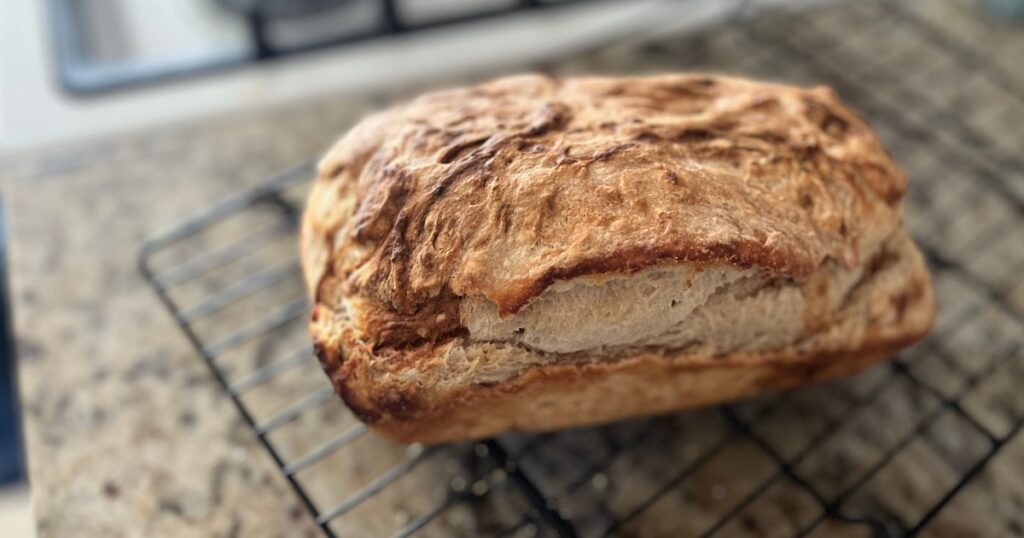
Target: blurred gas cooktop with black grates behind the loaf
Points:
(101, 50)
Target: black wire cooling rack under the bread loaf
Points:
(888, 452)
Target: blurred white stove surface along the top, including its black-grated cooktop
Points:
(88, 67)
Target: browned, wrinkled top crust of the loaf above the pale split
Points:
(501, 190)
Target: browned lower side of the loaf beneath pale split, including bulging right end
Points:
(406, 394)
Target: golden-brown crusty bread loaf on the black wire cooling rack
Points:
(535, 253)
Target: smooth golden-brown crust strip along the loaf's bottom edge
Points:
(600, 393)
